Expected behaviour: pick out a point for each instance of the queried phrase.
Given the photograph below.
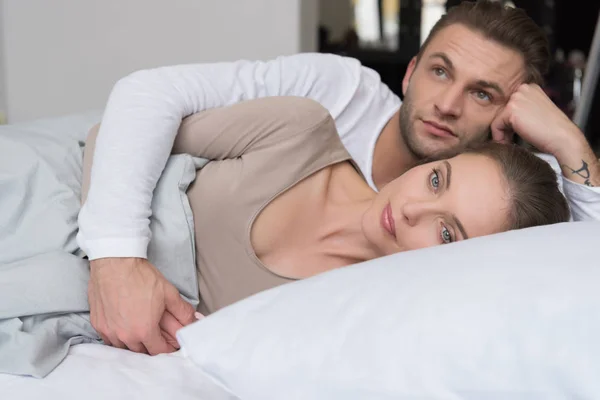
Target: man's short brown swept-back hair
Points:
(510, 27)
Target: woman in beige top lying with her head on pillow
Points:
(282, 200)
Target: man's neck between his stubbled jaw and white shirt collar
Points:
(391, 158)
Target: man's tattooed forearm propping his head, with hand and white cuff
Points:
(534, 117)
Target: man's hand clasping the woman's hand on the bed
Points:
(133, 306)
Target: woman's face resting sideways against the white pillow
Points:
(437, 203)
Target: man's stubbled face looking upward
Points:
(453, 93)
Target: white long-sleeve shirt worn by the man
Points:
(145, 110)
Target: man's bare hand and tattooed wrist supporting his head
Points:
(532, 115)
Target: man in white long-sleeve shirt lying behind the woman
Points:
(477, 76)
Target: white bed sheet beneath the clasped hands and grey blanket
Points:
(96, 372)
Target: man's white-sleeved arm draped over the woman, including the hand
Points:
(131, 303)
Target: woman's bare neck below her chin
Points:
(340, 233)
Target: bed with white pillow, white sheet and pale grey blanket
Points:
(514, 315)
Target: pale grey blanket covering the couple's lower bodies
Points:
(43, 273)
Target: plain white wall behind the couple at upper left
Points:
(63, 56)
